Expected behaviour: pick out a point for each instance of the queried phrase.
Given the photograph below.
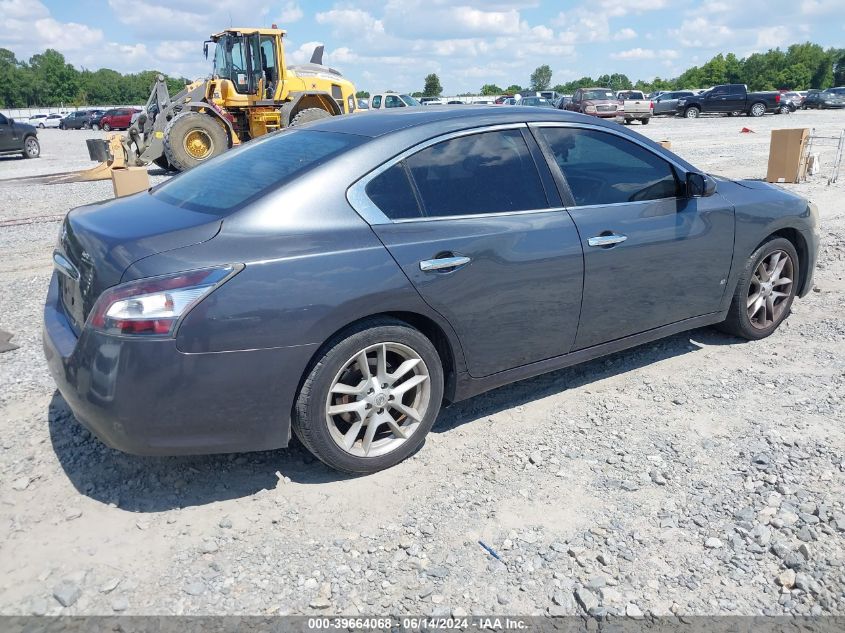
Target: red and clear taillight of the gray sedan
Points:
(154, 306)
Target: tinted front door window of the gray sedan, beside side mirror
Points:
(603, 168)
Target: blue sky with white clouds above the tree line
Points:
(394, 44)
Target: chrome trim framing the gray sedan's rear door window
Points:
(357, 196)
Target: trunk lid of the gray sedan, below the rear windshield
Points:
(102, 240)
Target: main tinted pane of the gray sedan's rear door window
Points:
(489, 172)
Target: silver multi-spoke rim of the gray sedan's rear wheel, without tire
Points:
(378, 399)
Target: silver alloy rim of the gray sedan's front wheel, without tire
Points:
(770, 289)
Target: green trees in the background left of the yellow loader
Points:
(46, 80)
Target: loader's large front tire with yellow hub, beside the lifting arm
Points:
(192, 138)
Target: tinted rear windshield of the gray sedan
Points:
(244, 174)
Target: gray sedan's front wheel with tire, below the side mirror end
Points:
(765, 290)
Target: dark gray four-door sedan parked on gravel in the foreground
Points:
(342, 280)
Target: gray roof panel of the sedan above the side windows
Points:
(375, 124)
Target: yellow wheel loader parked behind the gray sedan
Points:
(251, 92)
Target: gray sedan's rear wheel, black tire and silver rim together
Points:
(371, 398)
